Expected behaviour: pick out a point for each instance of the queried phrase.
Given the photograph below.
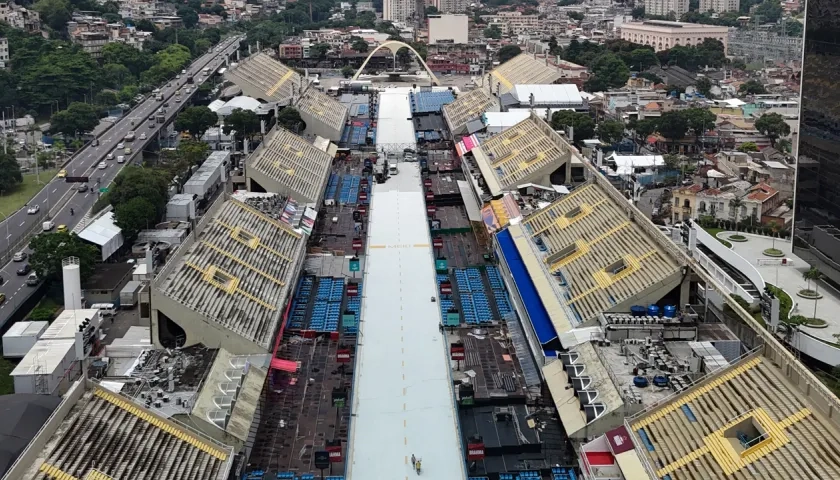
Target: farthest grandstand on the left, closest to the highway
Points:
(263, 77)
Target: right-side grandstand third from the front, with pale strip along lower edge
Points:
(521, 154)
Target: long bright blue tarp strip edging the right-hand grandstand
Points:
(527, 291)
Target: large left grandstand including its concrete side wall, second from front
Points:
(227, 288)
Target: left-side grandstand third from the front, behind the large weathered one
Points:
(298, 168)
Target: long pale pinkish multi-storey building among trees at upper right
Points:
(663, 35)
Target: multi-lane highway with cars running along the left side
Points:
(58, 196)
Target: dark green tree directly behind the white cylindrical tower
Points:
(49, 250)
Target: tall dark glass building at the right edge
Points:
(817, 201)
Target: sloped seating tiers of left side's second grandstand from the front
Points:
(237, 273)
